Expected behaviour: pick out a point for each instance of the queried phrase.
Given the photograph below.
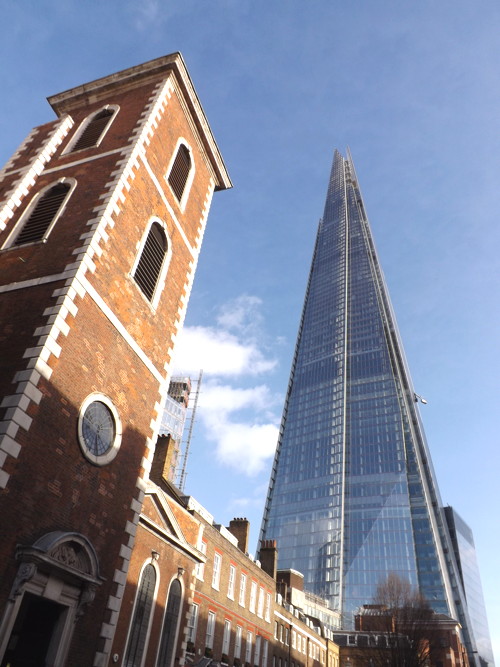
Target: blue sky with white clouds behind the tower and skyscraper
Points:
(413, 89)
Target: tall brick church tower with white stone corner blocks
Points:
(102, 214)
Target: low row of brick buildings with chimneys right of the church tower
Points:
(194, 595)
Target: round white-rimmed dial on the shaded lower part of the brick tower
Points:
(99, 429)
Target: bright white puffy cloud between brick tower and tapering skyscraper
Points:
(241, 421)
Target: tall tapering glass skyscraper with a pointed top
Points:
(352, 495)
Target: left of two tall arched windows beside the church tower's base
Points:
(139, 626)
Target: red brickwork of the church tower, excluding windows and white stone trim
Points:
(52, 486)
